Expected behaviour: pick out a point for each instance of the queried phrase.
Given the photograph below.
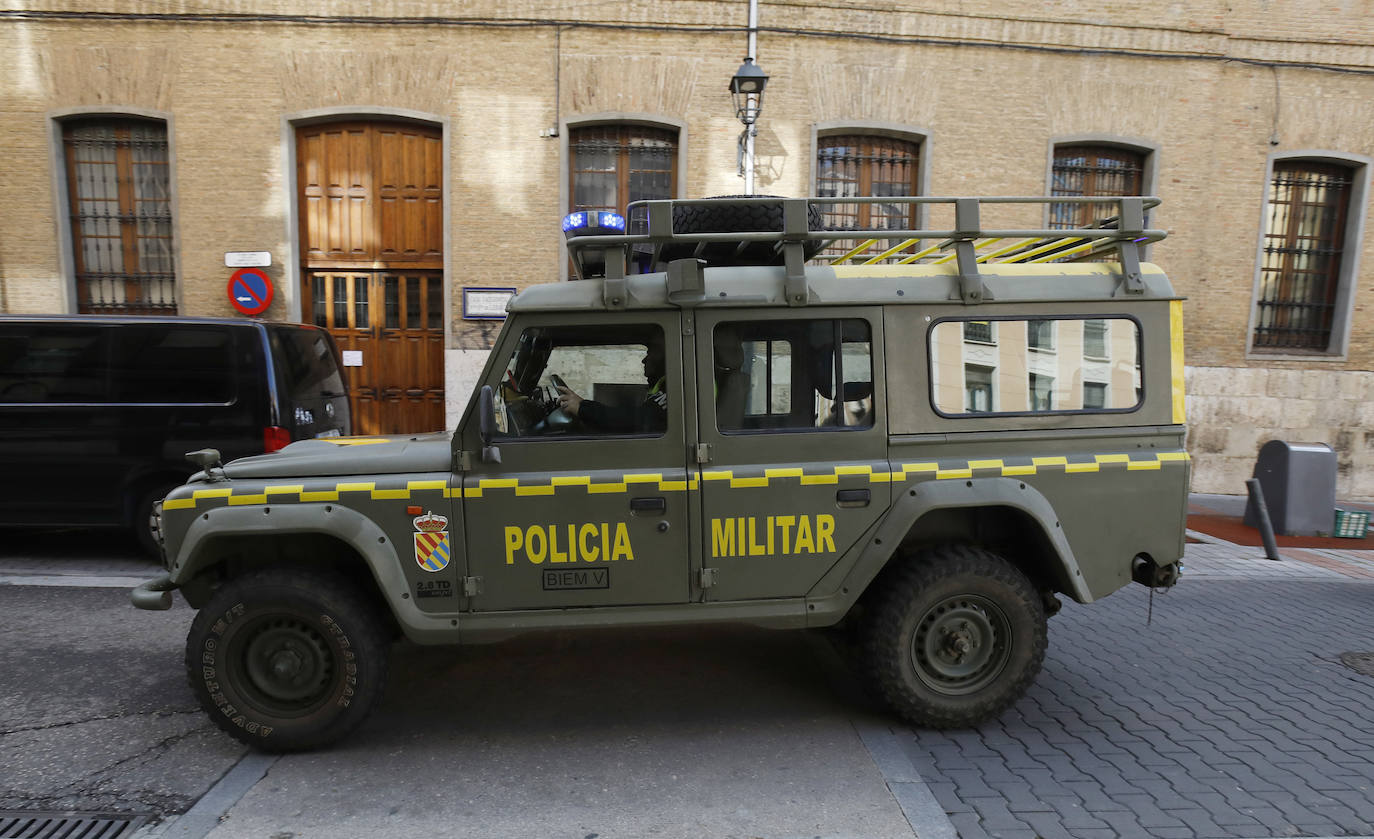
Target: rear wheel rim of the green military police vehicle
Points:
(961, 645)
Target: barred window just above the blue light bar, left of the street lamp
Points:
(615, 165)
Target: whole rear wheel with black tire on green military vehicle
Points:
(954, 638)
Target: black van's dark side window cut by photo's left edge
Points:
(54, 363)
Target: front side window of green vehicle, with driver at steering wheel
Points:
(586, 382)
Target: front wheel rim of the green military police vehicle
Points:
(286, 667)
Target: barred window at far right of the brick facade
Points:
(1305, 240)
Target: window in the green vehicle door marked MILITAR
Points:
(785, 376)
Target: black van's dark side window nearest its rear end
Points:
(172, 365)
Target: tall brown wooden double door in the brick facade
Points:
(373, 268)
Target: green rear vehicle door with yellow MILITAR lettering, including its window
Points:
(798, 446)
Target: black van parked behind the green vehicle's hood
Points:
(97, 413)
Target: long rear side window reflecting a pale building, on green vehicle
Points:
(1044, 366)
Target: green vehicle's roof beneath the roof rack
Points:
(762, 286)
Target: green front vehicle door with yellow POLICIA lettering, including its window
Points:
(578, 514)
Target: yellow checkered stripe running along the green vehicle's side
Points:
(656, 481)
